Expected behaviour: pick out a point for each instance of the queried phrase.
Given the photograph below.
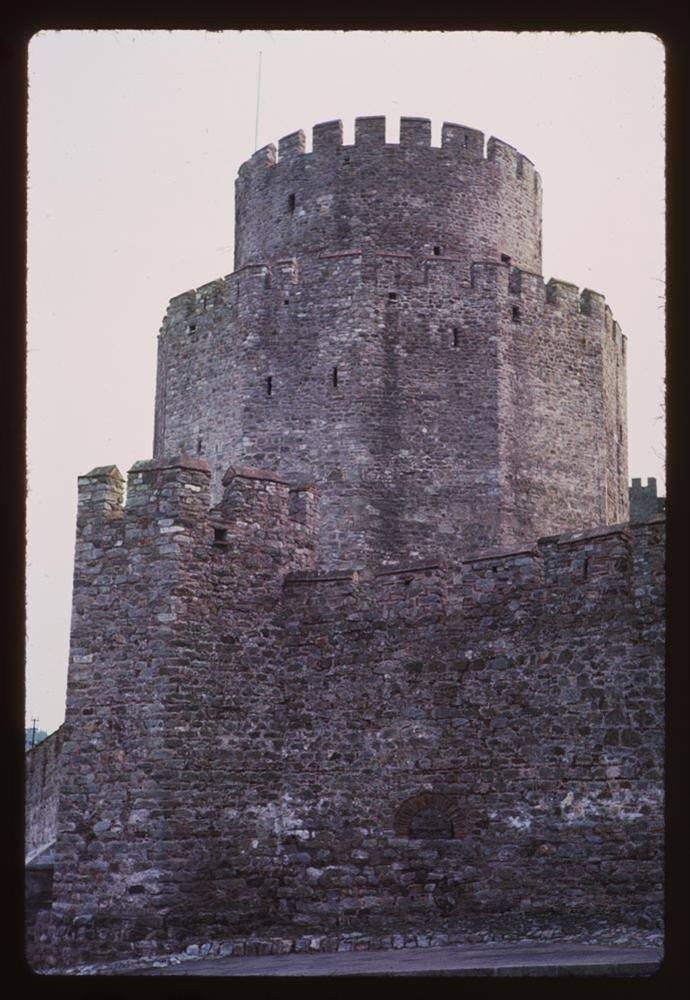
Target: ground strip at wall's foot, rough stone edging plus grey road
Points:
(630, 952)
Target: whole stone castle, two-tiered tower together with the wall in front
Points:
(370, 654)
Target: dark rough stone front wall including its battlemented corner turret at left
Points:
(469, 750)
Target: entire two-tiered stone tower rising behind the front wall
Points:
(387, 335)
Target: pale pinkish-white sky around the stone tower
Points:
(135, 139)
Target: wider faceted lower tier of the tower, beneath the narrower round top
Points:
(434, 406)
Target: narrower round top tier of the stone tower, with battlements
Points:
(456, 200)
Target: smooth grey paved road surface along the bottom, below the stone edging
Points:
(459, 960)
